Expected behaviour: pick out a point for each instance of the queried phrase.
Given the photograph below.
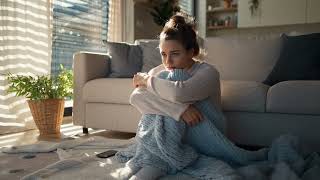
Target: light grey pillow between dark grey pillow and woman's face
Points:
(151, 55)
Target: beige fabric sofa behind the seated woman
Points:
(256, 113)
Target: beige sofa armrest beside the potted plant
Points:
(86, 66)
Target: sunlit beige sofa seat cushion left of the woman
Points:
(108, 90)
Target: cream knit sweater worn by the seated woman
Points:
(171, 98)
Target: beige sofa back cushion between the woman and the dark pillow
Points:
(241, 58)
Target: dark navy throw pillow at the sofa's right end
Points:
(299, 59)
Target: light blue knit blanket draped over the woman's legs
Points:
(201, 151)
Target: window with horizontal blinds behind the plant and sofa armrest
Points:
(77, 25)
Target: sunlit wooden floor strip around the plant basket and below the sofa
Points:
(67, 129)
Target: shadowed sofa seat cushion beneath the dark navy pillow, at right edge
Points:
(294, 97)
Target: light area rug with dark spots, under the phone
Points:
(76, 160)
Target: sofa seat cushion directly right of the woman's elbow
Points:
(249, 96)
